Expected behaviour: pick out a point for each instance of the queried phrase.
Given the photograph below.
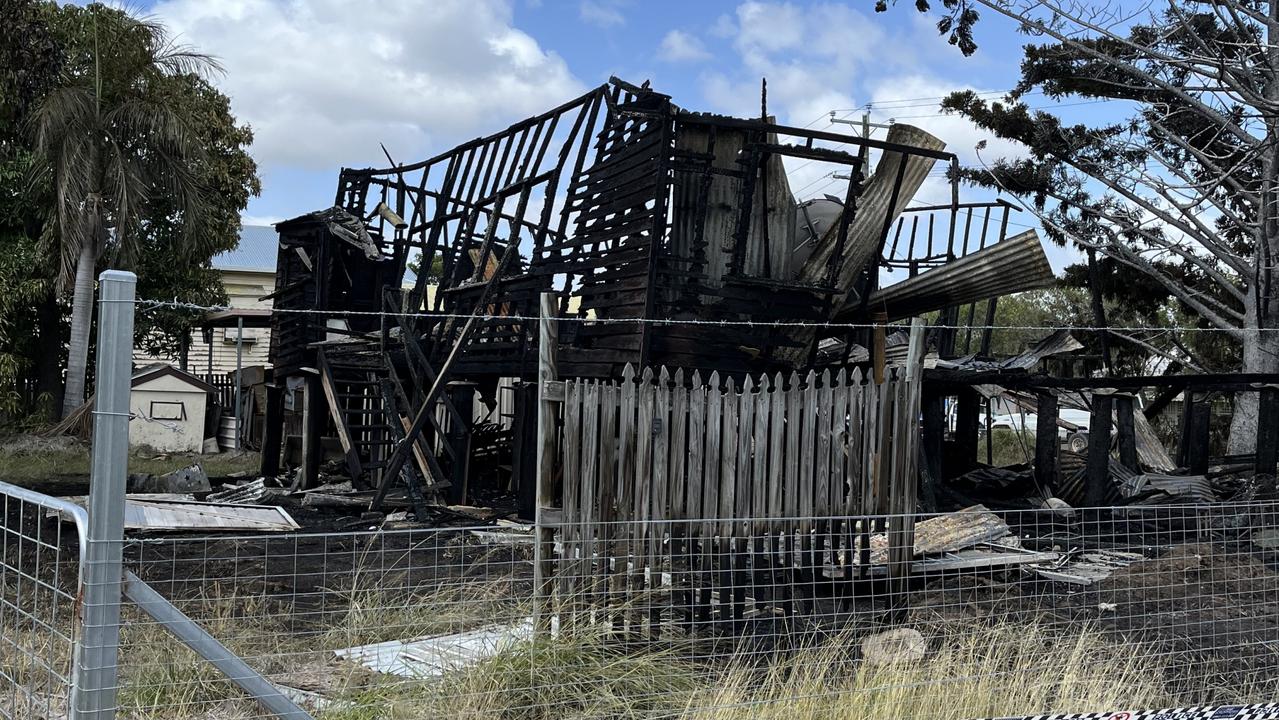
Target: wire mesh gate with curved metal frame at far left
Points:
(40, 580)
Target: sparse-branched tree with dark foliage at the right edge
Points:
(1179, 187)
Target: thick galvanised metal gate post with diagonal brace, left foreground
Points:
(94, 676)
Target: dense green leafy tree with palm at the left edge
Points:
(136, 162)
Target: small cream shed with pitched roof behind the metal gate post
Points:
(168, 409)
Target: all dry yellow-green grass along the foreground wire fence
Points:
(971, 669)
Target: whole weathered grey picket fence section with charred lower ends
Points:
(681, 492)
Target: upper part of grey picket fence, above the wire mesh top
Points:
(654, 448)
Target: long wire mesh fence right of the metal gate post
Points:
(1006, 613)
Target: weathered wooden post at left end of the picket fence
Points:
(544, 561)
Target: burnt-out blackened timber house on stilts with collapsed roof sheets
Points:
(627, 208)
